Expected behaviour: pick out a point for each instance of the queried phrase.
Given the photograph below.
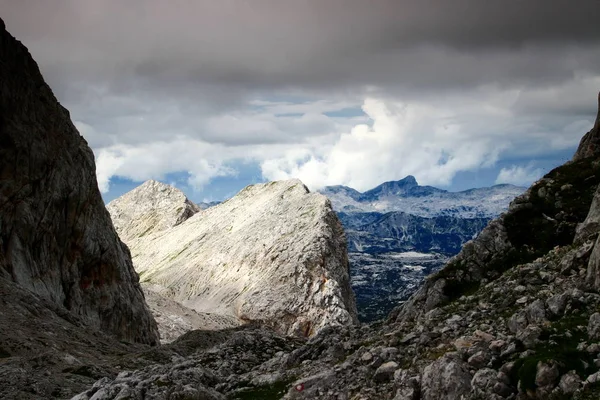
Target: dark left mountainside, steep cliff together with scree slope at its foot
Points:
(69, 296)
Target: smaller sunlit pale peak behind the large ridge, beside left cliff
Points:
(151, 207)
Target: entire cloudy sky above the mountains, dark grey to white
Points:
(214, 95)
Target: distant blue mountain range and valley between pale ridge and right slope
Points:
(400, 232)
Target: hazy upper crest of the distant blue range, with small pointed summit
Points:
(425, 201)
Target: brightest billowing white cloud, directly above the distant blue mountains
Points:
(430, 141)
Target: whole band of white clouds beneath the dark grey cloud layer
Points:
(432, 139)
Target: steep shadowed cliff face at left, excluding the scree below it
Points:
(56, 237)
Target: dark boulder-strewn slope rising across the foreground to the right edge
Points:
(515, 315)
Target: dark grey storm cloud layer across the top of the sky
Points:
(230, 46)
